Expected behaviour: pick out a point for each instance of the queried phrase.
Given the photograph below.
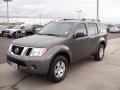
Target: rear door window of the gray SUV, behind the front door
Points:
(92, 29)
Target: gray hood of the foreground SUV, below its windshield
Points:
(38, 41)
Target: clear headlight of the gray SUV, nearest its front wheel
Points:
(38, 51)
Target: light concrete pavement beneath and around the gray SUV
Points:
(83, 75)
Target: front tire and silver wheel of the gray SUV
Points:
(58, 69)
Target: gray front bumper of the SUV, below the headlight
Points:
(34, 65)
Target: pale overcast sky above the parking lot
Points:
(109, 9)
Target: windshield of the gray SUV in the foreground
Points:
(57, 29)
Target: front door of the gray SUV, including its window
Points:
(80, 44)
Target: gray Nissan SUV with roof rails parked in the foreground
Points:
(56, 46)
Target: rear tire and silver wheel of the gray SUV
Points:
(100, 53)
